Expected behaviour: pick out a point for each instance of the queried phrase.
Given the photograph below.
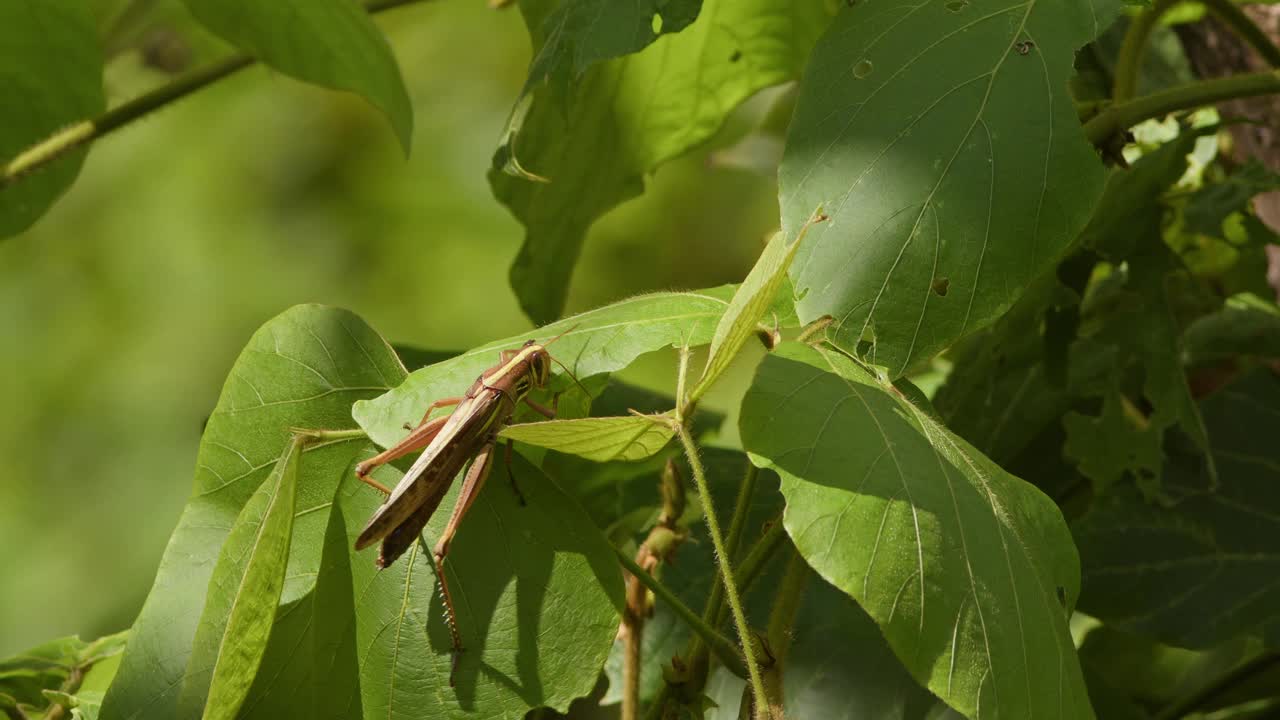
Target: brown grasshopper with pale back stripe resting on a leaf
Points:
(467, 435)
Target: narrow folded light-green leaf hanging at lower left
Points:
(245, 589)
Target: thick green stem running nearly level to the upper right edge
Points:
(1124, 116)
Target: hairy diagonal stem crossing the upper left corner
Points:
(92, 130)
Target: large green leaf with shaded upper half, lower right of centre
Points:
(970, 572)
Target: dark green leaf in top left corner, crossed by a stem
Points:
(51, 78)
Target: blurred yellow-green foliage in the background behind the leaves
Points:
(122, 311)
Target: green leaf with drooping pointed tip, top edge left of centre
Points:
(328, 43)
